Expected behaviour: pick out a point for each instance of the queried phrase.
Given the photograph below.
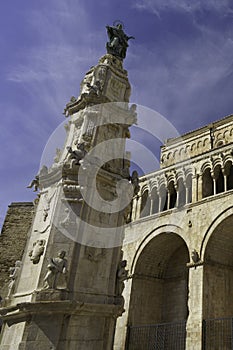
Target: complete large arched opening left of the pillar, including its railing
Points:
(159, 293)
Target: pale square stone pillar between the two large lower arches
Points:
(195, 305)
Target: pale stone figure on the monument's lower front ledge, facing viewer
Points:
(56, 266)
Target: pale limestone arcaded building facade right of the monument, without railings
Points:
(168, 282)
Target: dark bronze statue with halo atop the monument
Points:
(118, 41)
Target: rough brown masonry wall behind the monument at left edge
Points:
(13, 236)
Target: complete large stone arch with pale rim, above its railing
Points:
(160, 279)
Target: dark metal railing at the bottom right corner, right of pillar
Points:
(218, 334)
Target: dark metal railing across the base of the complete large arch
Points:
(165, 336)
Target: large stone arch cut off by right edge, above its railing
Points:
(217, 252)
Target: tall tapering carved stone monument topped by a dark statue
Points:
(68, 293)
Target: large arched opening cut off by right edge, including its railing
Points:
(218, 287)
